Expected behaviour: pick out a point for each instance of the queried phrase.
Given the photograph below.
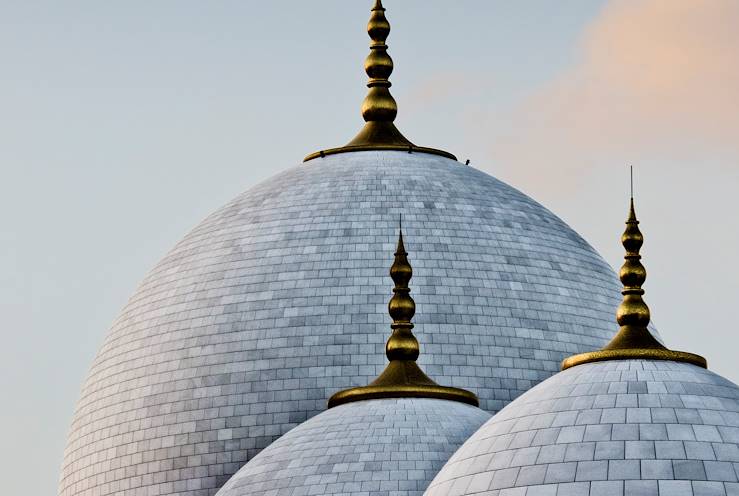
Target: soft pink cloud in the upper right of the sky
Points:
(654, 78)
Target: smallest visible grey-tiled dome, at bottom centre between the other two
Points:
(381, 447)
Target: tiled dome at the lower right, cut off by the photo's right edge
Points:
(677, 435)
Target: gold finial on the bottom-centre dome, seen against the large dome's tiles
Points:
(402, 378)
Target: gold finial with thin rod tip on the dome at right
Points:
(633, 340)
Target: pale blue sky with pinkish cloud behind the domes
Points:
(125, 123)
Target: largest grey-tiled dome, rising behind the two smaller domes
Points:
(279, 299)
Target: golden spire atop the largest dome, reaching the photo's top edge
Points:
(379, 108)
